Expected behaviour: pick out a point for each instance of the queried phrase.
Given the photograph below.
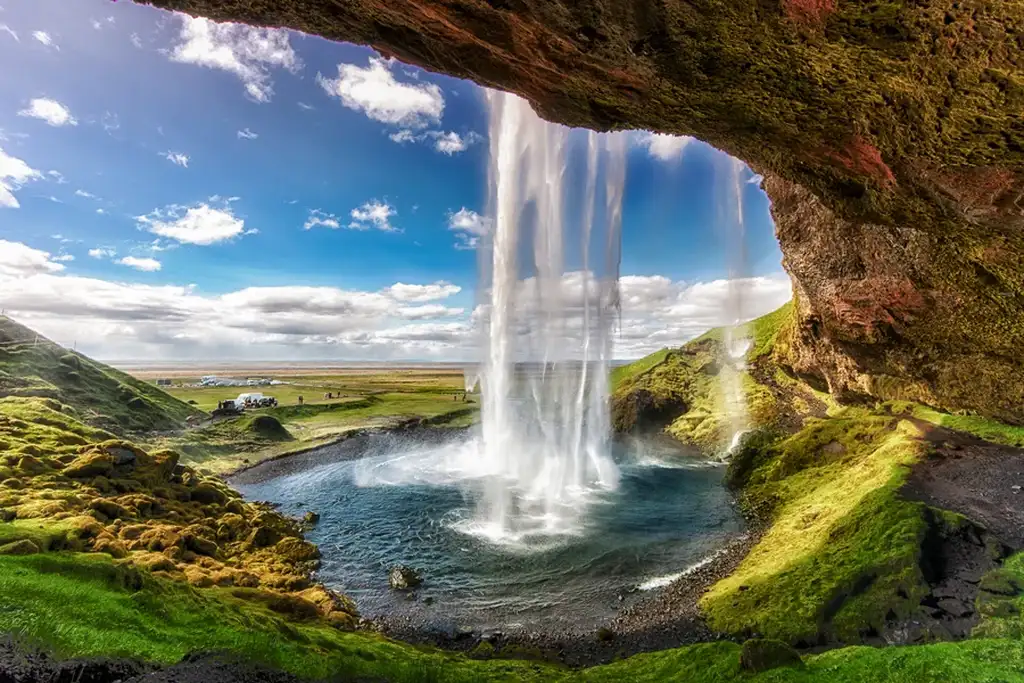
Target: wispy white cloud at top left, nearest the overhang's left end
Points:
(247, 53)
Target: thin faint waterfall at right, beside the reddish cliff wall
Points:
(736, 341)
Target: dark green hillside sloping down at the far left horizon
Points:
(34, 366)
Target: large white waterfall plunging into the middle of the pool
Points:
(548, 316)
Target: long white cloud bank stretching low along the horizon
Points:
(400, 322)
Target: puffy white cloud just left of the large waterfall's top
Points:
(374, 92)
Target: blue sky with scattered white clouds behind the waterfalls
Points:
(170, 187)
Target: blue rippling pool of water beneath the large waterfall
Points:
(389, 500)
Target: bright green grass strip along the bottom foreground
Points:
(84, 606)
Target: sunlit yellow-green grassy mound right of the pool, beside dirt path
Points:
(842, 547)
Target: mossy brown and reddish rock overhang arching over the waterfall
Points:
(893, 134)
